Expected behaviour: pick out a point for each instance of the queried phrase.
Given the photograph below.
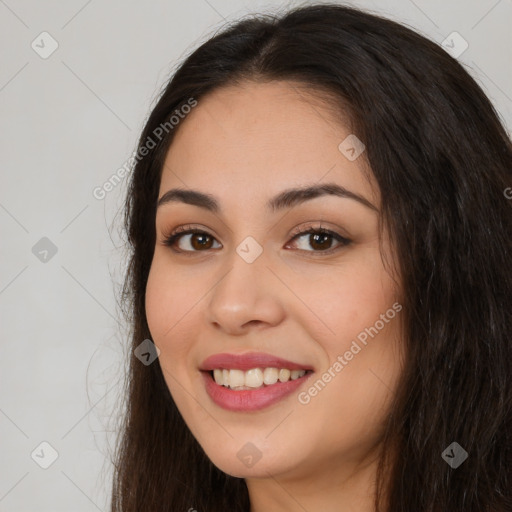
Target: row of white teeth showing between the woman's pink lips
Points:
(254, 378)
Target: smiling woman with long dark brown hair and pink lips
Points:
(320, 255)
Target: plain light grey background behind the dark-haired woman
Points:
(67, 124)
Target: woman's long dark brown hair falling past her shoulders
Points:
(443, 162)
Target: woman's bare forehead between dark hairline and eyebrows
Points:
(259, 138)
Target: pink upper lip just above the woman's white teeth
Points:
(248, 361)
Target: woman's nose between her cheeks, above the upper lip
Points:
(246, 296)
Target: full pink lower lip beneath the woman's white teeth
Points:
(250, 399)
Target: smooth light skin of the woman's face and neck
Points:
(243, 145)
